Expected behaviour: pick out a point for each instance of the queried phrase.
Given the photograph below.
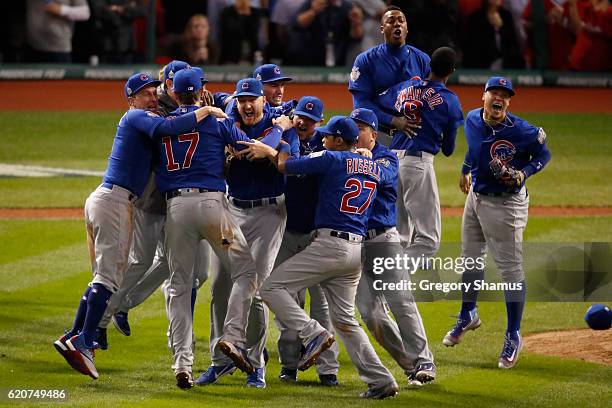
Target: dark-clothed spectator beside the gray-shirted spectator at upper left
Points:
(113, 25)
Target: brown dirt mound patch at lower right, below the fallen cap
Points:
(585, 344)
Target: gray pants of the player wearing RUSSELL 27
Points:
(334, 263)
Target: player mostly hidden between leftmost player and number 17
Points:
(148, 266)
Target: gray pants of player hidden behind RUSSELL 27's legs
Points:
(289, 343)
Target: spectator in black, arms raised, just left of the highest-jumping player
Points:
(328, 26)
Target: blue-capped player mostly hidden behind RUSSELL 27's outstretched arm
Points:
(301, 200)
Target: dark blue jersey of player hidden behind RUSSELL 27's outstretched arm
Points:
(301, 191)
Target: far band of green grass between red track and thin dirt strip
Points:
(576, 176)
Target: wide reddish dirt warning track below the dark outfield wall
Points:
(108, 95)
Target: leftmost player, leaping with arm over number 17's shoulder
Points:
(109, 213)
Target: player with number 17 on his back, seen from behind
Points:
(190, 174)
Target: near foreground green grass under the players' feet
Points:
(44, 268)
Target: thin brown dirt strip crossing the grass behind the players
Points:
(446, 211)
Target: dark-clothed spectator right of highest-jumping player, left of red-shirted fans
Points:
(490, 40)
